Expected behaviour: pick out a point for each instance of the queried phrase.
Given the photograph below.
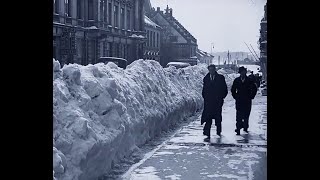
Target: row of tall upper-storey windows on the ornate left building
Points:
(105, 12)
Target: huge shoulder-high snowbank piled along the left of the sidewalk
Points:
(101, 112)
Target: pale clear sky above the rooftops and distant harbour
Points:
(226, 23)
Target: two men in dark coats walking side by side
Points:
(215, 90)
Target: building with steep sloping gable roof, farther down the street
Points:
(177, 44)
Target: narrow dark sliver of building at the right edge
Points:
(263, 44)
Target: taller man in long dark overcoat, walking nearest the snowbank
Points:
(214, 91)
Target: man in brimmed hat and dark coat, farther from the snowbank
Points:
(243, 91)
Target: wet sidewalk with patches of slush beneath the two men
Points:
(186, 156)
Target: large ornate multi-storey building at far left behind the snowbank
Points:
(84, 30)
